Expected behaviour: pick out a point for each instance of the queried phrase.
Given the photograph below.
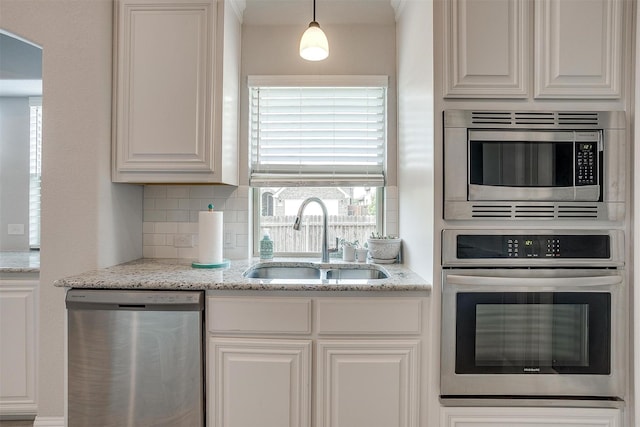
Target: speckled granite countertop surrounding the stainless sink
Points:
(178, 274)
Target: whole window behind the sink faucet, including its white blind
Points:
(323, 137)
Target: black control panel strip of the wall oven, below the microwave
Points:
(533, 246)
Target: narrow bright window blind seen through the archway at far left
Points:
(35, 170)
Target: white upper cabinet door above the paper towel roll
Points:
(164, 86)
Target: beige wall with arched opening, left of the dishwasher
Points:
(87, 222)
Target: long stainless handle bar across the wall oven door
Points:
(456, 279)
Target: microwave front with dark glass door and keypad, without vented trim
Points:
(534, 165)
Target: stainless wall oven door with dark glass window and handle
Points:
(533, 333)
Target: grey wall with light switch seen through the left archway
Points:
(14, 171)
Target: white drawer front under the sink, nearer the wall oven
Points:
(369, 316)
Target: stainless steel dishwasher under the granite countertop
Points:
(135, 358)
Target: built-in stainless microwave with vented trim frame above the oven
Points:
(534, 165)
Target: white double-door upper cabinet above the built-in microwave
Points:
(572, 48)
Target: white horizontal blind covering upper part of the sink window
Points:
(325, 132)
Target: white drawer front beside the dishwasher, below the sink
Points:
(259, 315)
